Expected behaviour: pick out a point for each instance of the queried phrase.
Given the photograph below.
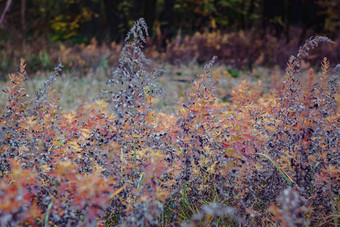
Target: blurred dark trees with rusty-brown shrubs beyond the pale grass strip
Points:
(87, 34)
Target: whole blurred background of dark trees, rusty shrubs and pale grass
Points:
(252, 39)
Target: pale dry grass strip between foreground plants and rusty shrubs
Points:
(175, 80)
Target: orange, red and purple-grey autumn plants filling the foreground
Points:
(262, 159)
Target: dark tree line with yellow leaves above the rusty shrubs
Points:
(80, 20)
